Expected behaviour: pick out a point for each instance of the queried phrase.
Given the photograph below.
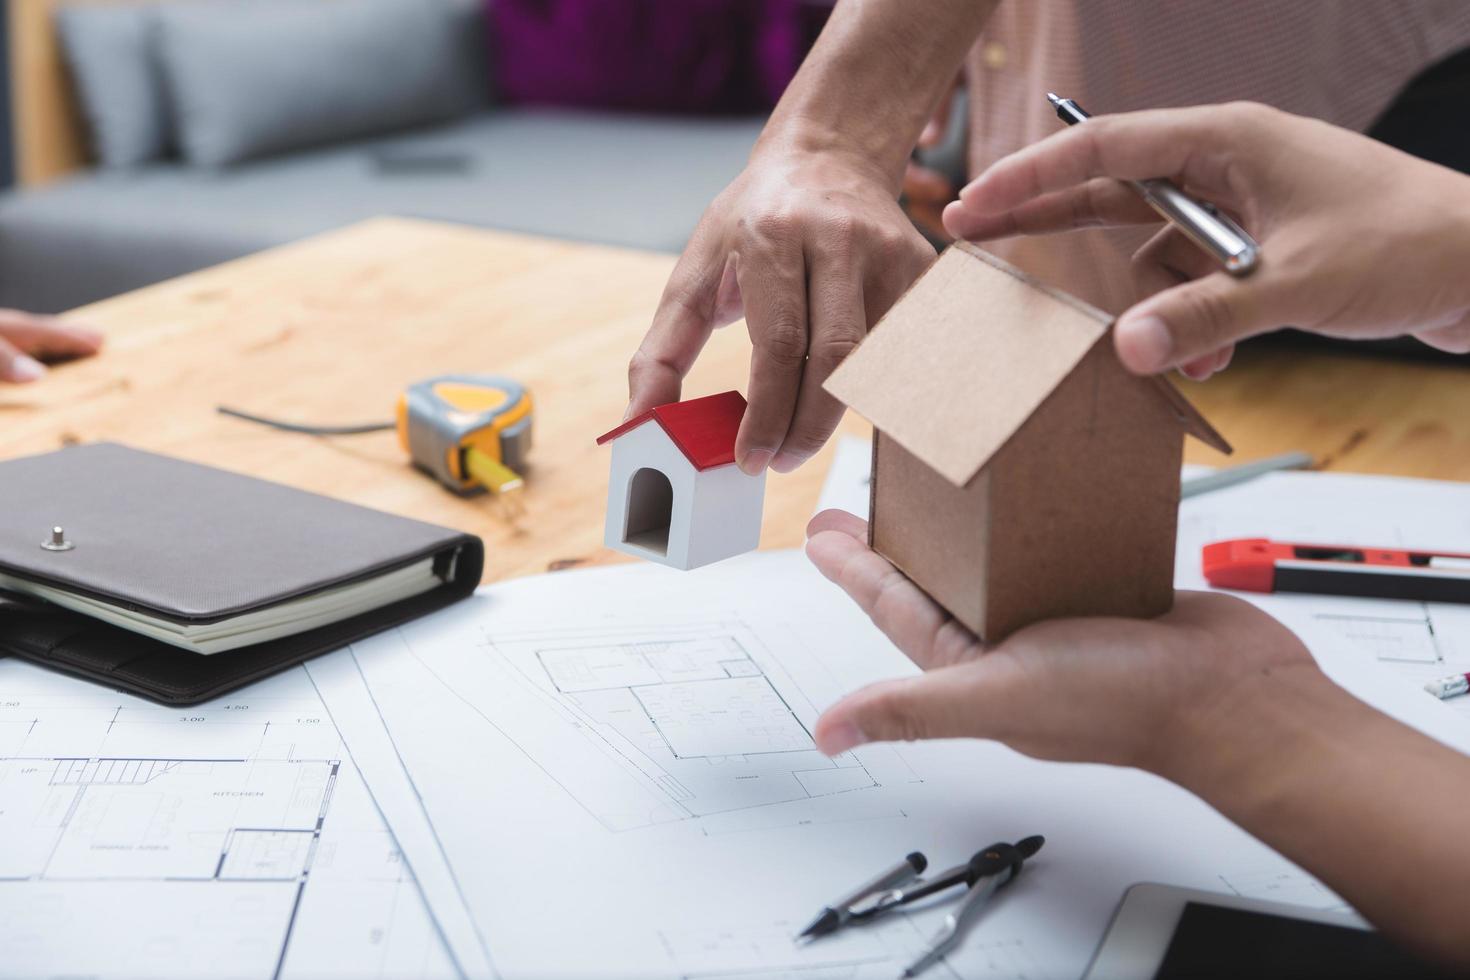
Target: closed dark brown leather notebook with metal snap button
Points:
(182, 583)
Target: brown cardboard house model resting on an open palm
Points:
(1019, 472)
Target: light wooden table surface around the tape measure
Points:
(331, 330)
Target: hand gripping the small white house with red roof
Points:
(812, 249)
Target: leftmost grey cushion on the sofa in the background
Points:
(118, 83)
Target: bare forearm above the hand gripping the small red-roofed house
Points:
(872, 80)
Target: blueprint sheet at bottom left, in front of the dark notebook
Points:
(232, 840)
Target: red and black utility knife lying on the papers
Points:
(1258, 565)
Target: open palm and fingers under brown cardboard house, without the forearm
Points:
(1128, 693)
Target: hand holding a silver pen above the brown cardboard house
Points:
(1358, 240)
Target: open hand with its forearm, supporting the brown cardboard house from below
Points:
(1215, 697)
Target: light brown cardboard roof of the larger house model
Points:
(968, 355)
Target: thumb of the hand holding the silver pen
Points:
(1191, 321)
